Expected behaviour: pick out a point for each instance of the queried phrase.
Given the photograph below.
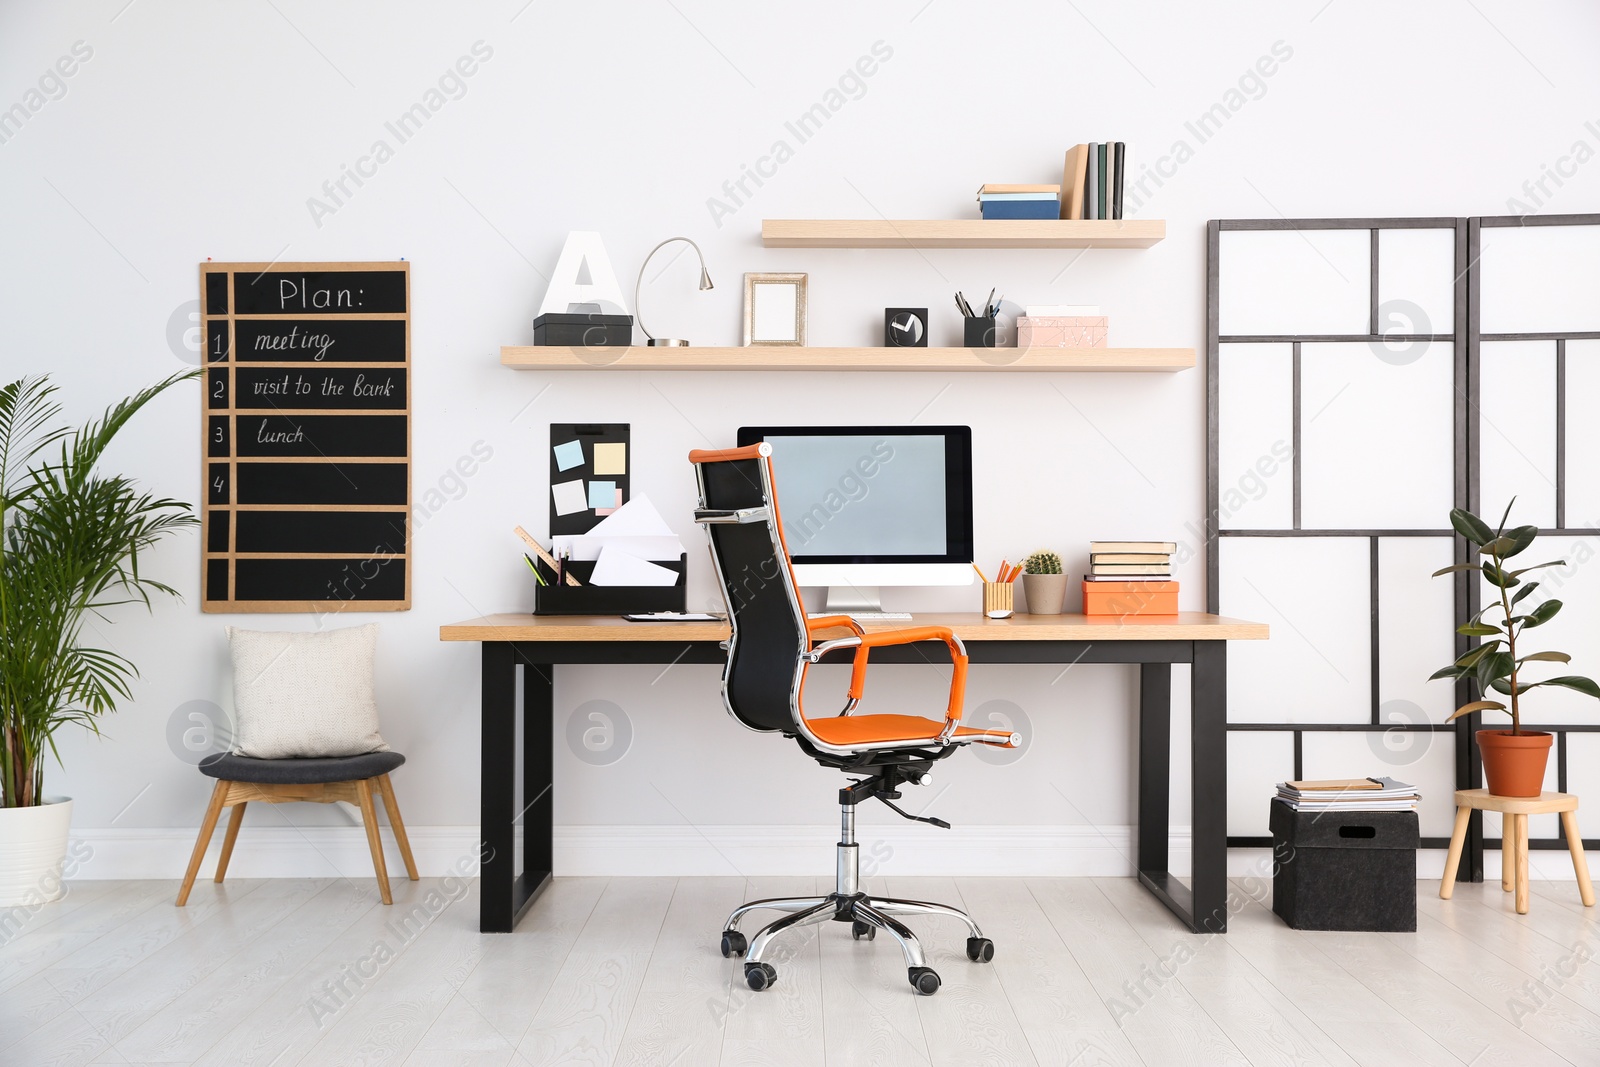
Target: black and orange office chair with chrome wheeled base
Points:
(769, 655)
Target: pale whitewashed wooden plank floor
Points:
(626, 972)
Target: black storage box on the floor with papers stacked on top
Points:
(1345, 869)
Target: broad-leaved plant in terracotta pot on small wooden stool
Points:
(1513, 759)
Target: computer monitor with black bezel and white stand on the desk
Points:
(870, 506)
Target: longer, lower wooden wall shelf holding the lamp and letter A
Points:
(799, 359)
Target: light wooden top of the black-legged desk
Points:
(1186, 626)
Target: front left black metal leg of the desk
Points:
(497, 791)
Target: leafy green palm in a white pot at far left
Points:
(70, 548)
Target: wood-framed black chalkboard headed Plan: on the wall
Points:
(298, 316)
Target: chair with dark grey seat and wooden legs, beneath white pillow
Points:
(242, 780)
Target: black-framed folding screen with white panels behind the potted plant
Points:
(1364, 377)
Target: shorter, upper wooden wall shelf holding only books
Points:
(962, 233)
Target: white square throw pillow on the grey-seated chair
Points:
(305, 695)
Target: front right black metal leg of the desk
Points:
(1209, 783)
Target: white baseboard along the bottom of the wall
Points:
(679, 850)
